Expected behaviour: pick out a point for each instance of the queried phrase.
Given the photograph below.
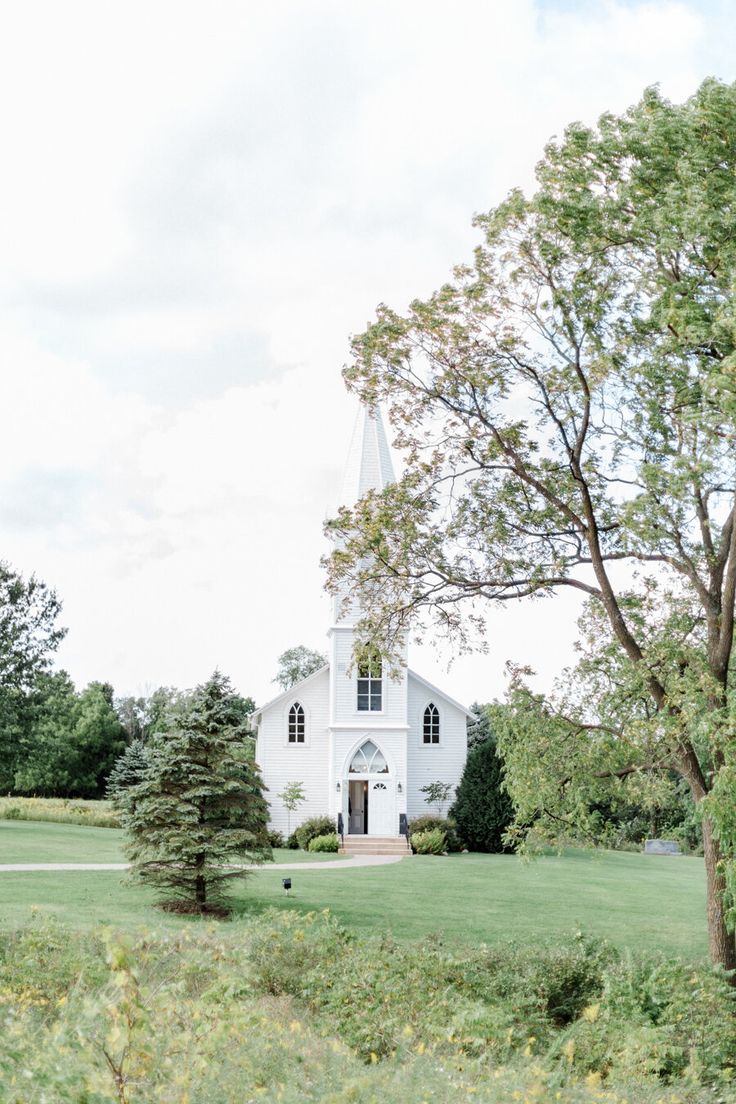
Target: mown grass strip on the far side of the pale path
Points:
(42, 842)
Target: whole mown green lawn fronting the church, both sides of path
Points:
(638, 901)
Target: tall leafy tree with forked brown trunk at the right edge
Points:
(567, 409)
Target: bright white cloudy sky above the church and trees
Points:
(199, 205)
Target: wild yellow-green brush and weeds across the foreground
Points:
(294, 1007)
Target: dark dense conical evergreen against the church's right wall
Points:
(483, 811)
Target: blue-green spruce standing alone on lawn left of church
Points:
(200, 812)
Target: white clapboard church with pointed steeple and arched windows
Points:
(361, 744)
